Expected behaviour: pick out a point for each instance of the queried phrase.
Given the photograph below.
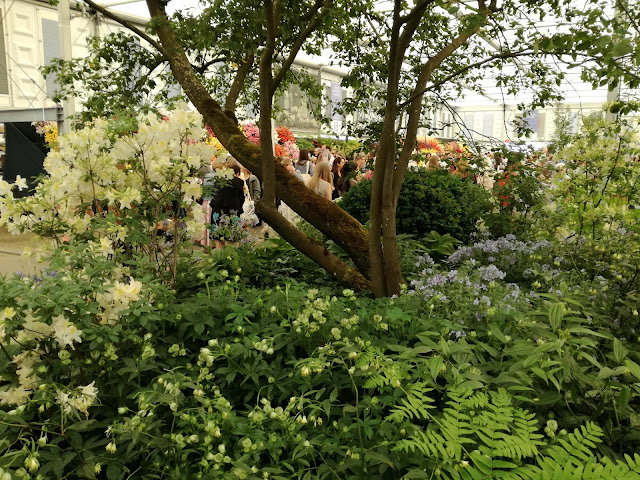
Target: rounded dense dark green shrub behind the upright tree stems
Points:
(429, 200)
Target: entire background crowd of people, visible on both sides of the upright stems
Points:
(327, 172)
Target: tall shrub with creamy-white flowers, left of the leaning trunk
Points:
(128, 189)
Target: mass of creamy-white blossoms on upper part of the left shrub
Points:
(91, 168)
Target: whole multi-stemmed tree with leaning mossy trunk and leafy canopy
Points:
(426, 51)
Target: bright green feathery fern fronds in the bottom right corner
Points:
(484, 437)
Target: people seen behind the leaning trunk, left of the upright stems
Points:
(230, 203)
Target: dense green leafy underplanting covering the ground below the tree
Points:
(225, 380)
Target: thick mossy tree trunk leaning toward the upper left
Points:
(326, 216)
